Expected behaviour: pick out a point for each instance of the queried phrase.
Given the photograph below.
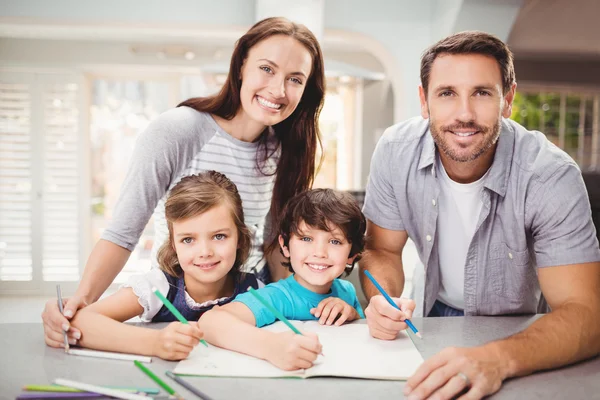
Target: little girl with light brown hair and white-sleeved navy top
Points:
(199, 268)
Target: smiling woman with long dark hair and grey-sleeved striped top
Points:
(261, 130)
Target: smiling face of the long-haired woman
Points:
(274, 76)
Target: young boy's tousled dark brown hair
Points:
(320, 207)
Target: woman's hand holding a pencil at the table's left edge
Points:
(55, 322)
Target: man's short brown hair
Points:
(471, 42)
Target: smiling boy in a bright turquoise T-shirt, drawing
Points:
(322, 235)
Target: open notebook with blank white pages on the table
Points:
(349, 350)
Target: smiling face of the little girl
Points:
(206, 245)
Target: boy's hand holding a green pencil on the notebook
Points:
(290, 351)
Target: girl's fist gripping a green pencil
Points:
(176, 341)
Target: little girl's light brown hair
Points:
(194, 195)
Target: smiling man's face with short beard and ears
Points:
(464, 104)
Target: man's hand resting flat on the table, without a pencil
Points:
(473, 372)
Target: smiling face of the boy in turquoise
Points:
(318, 257)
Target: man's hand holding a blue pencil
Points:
(386, 321)
